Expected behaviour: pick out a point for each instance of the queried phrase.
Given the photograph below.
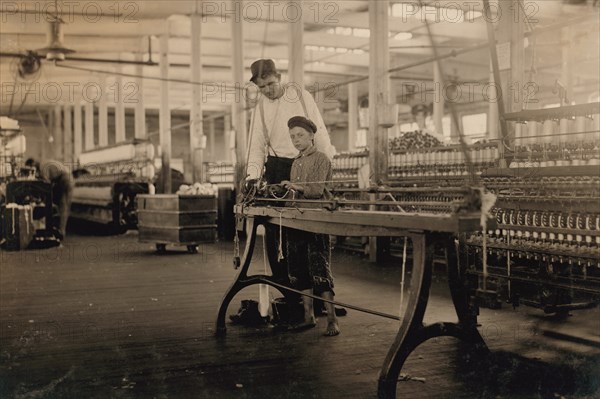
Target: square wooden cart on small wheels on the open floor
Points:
(187, 220)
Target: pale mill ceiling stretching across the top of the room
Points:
(127, 32)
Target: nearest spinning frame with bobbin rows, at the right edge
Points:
(545, 251)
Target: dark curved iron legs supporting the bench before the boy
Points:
(412, 332)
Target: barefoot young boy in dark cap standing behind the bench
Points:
(308, 259)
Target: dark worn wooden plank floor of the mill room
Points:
(107, 317)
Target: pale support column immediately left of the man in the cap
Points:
(238, 111)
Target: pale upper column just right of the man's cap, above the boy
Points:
(296, 43)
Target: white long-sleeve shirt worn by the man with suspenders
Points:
(277, 113)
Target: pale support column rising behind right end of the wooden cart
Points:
(197, 139)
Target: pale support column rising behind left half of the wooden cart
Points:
(165, 114)
